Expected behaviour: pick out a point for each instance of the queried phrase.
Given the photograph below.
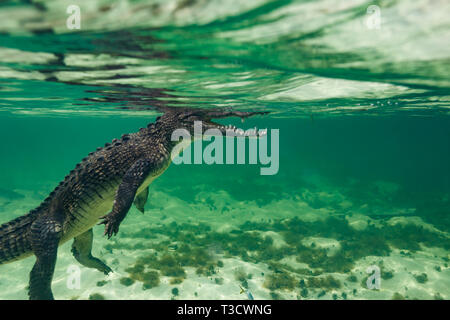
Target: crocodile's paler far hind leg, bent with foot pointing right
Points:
(81, 249)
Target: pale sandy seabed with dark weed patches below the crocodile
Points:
(415, 274)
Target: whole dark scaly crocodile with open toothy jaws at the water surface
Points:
(100, 190)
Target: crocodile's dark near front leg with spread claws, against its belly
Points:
(125, 195)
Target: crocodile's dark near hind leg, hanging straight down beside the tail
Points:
(45, 234)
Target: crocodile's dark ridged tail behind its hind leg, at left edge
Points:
(14, 242)
